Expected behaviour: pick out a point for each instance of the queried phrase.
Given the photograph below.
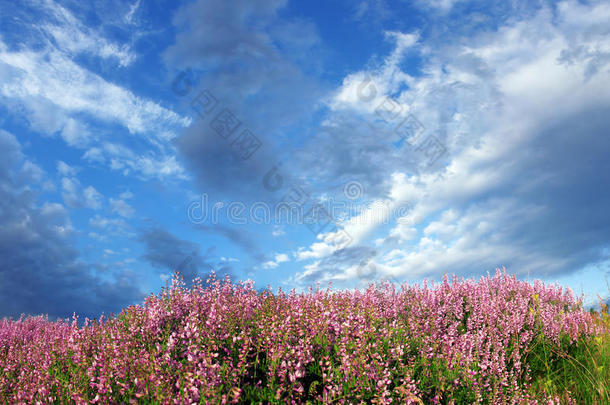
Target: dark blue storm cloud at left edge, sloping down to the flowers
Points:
(40, 271)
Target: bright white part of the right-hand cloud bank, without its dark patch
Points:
(502, 91)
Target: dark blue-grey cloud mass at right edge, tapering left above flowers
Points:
(560, 180)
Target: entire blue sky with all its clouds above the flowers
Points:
(293, 143)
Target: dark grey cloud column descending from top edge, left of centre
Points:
(248, 58)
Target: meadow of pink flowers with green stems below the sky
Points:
(495, 340)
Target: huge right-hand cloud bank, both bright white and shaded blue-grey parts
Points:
(505, 195)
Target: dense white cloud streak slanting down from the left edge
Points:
(49, 76)
